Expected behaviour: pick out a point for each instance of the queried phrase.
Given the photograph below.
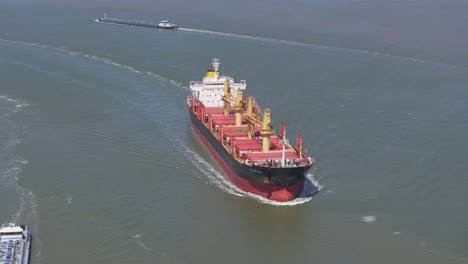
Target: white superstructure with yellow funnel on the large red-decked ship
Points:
(210, 91)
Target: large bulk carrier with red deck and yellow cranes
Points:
(241, 138)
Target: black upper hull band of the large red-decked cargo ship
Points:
(281, 177)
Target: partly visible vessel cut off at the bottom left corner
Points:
(15, 243)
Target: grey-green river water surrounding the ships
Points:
(98, 157)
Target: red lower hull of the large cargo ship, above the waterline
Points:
(272, 192)
